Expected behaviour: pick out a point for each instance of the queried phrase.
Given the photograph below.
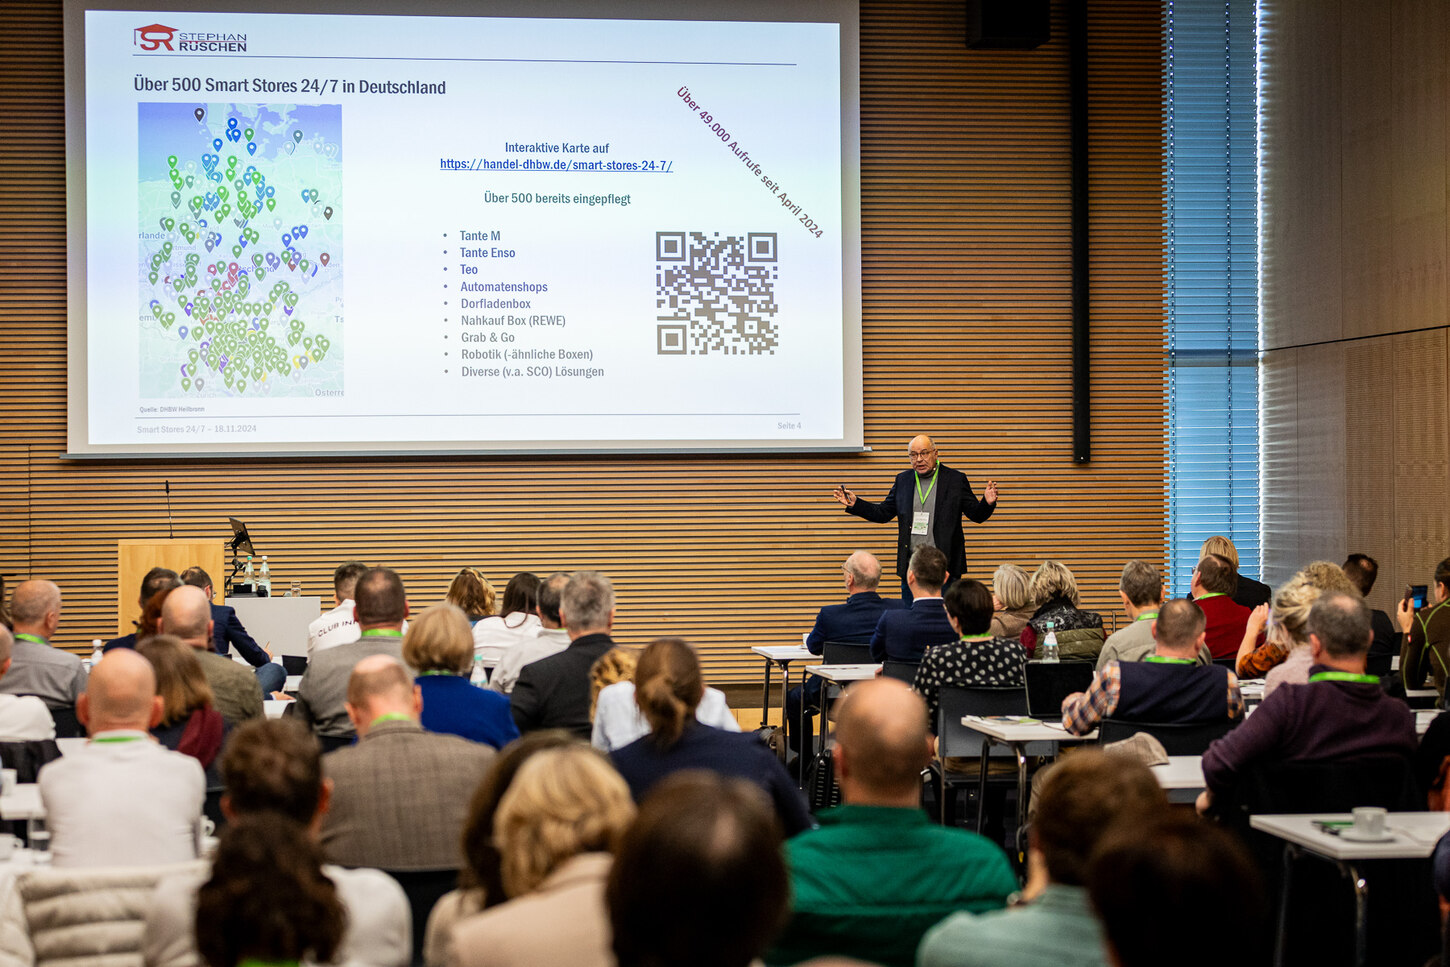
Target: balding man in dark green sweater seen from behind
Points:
(877, 875)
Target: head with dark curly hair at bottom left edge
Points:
(269, 900)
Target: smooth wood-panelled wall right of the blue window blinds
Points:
(1356, 227)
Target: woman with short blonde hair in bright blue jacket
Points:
(440, 649)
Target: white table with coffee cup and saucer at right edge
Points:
(1414, 839)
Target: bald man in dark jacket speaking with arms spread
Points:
(927, 504)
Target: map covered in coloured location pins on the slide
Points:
(240, 250)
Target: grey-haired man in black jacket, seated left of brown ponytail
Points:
(553, 694)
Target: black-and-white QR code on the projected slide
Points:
(716, 295)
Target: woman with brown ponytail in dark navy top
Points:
(669, 689)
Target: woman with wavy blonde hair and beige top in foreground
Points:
(556, 829)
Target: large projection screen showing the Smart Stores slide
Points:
(301, 233)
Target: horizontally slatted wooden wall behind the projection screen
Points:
(966, 336)
